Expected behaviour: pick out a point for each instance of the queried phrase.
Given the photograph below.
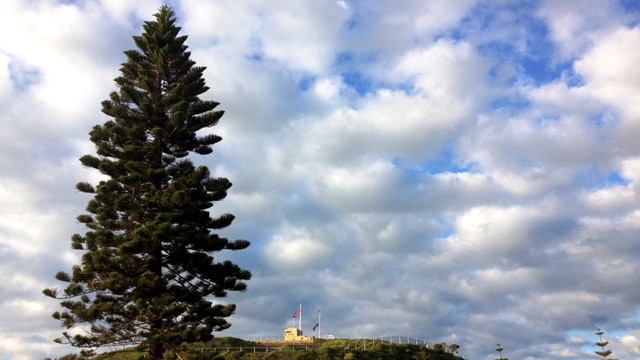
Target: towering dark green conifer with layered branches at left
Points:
(147, 275)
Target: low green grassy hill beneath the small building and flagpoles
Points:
(228, 348)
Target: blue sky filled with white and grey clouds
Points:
(461, 171)
